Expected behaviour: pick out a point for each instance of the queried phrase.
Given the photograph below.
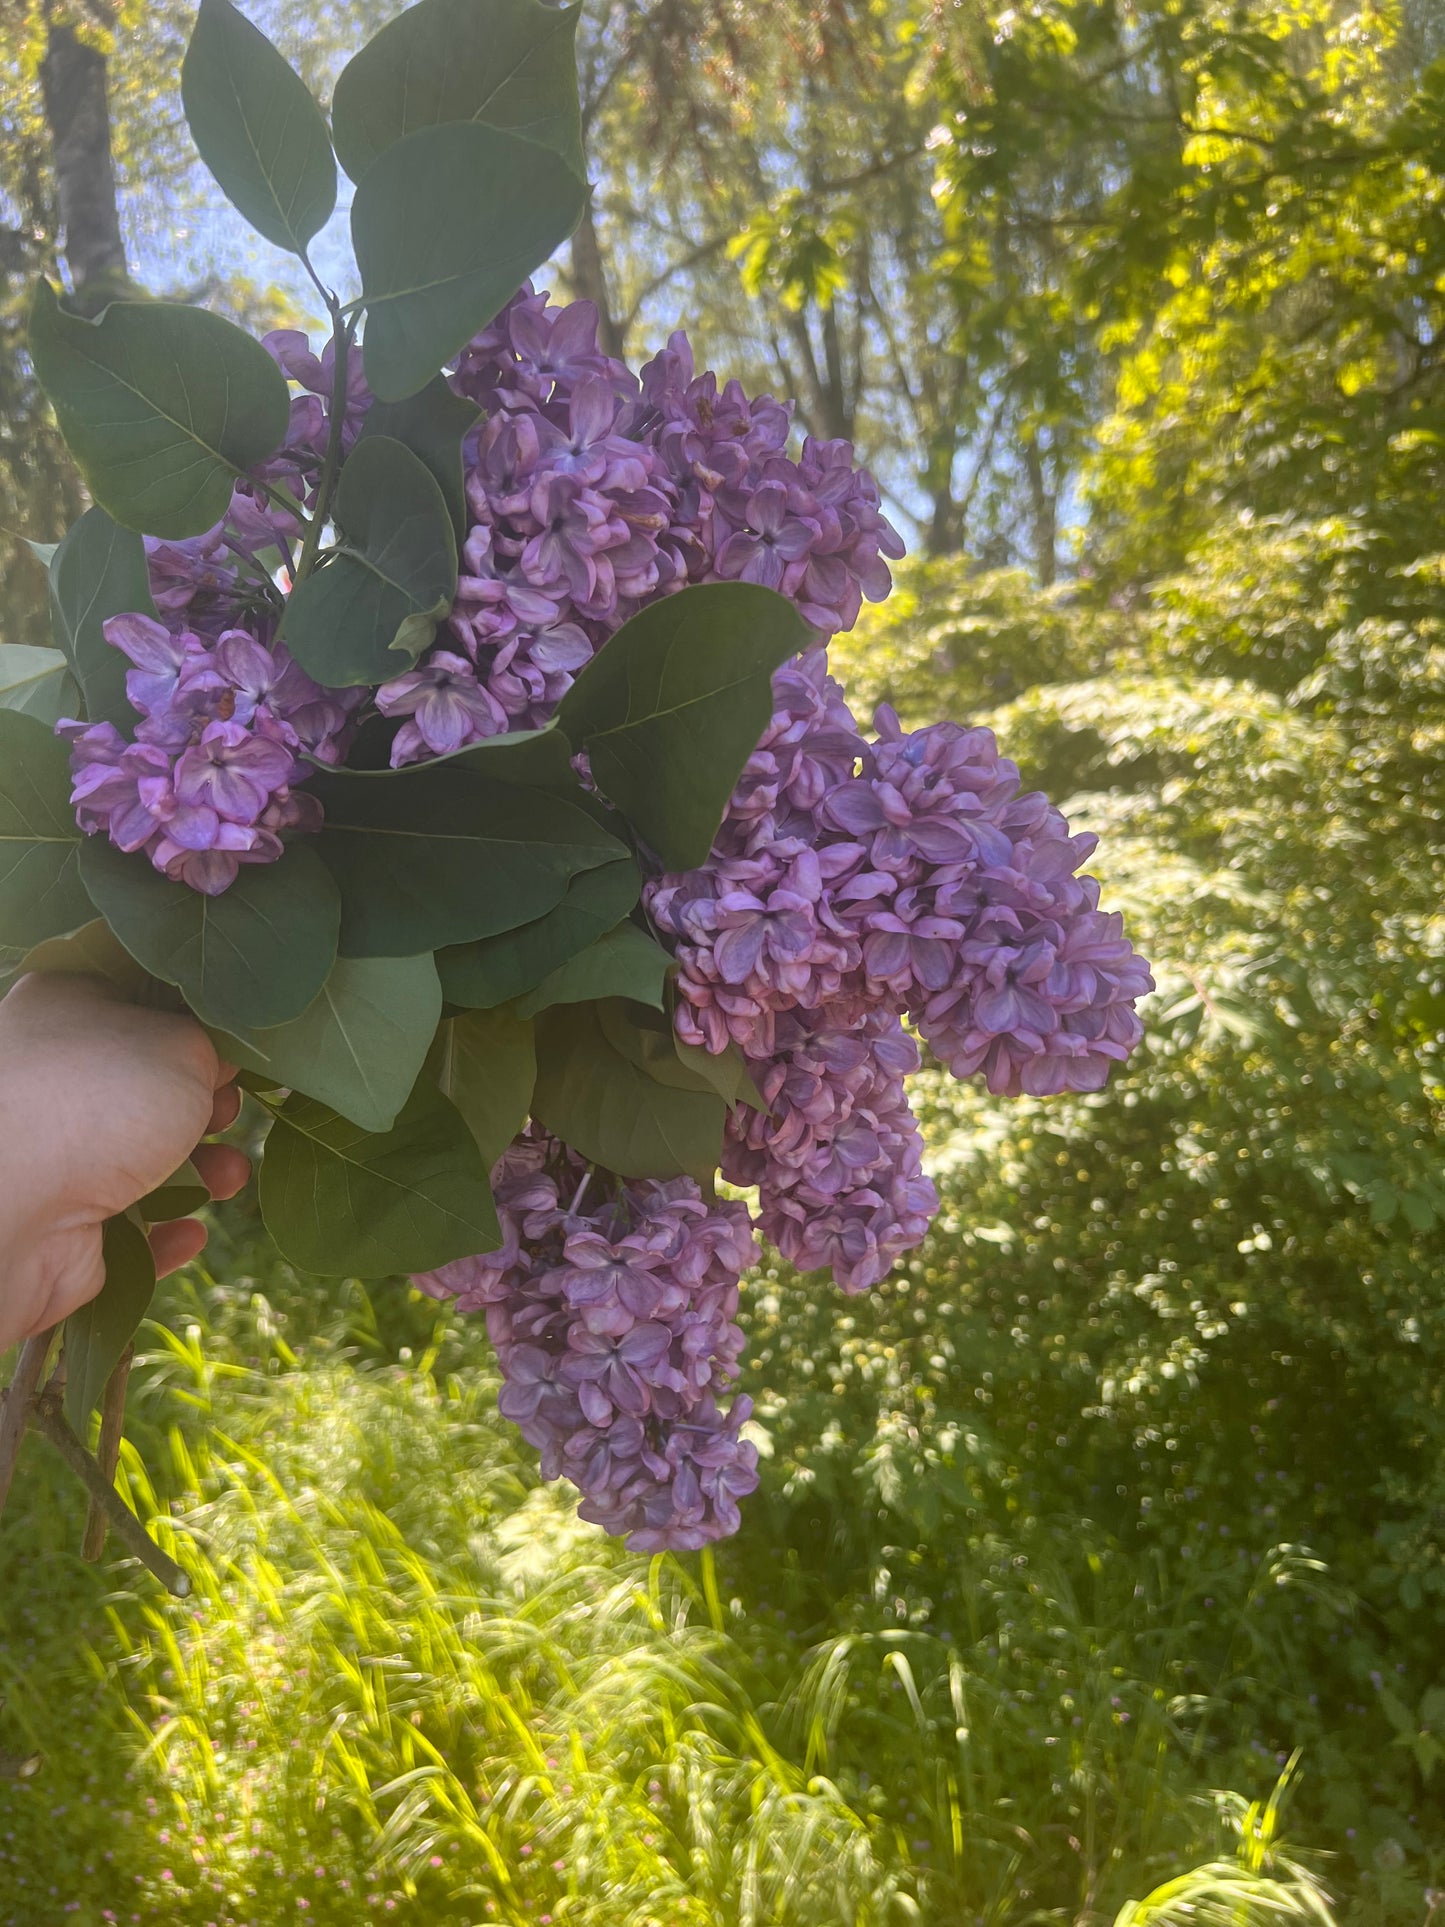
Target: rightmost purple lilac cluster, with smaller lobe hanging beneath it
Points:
(856, 882)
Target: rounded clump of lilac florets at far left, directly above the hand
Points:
(223, 735)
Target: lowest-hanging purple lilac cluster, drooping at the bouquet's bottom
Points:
(616, 1334)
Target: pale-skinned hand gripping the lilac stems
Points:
(99, 1103)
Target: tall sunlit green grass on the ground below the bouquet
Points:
(413, 1687)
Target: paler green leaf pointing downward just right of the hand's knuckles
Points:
(359, 1045)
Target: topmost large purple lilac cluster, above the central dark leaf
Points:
(592, 492)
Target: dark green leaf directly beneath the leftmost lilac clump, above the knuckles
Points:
(250, 959)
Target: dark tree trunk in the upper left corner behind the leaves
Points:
(78, 115)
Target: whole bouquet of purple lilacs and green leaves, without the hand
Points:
(461, 749)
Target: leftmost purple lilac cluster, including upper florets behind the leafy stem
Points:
(226, 720)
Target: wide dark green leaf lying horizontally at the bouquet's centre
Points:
(444, 855)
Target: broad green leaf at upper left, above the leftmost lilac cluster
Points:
(161, 406)
